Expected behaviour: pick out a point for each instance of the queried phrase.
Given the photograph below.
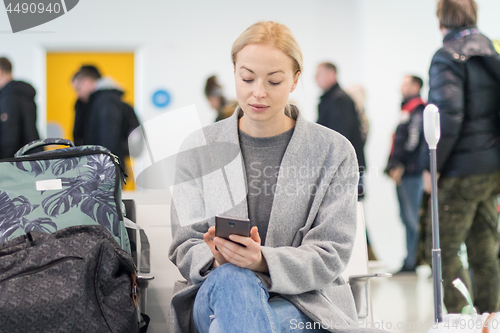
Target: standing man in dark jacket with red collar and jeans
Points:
(405, 165)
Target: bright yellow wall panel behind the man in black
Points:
(61, 97)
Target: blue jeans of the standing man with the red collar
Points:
(410, 193)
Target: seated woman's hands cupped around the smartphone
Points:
(249, 257)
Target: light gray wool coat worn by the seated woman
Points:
(311, 228)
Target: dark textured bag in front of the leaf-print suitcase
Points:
(76, 279)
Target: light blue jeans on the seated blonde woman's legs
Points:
(233, 299)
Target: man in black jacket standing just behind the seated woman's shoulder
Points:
(337, 111)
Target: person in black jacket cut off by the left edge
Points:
(17, 112)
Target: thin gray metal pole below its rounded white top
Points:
(436, 250)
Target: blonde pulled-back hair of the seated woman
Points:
(271, 33)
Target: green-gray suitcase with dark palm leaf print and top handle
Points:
(51, 190)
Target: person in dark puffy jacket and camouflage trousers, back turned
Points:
(464, 80)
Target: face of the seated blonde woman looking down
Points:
(264, 78)
